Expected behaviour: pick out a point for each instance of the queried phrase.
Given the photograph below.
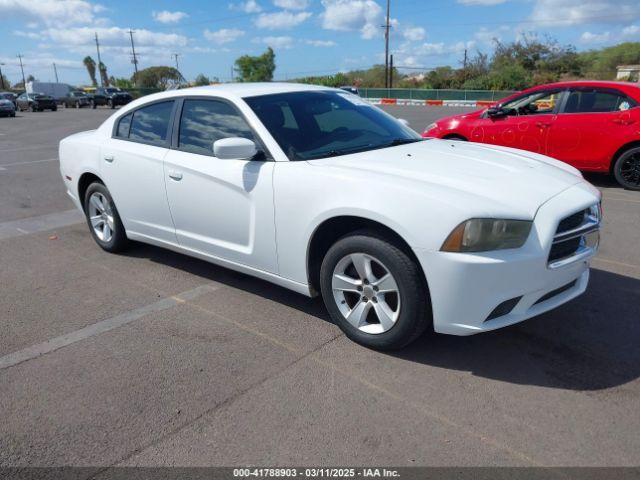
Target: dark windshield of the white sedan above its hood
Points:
(319, 124)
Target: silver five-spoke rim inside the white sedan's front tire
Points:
(366, 293)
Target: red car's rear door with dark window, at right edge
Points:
(591, 126)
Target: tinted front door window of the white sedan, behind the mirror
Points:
(205, 121)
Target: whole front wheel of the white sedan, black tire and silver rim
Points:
(374, 291)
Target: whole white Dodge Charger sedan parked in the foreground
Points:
(318, 191)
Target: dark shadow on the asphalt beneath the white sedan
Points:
(591, 343)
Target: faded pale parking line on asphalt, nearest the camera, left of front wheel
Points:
(103, 326)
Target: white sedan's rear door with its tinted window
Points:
(132, 169)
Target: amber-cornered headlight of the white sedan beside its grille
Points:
(484, 234)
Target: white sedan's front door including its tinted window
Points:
(221, 207)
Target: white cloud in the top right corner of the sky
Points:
(554, 13)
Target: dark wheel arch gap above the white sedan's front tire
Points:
(332, 229)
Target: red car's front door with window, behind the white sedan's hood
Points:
(525, 125)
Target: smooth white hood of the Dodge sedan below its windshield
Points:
(505, 176)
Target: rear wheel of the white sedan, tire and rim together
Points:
(103, 219)
